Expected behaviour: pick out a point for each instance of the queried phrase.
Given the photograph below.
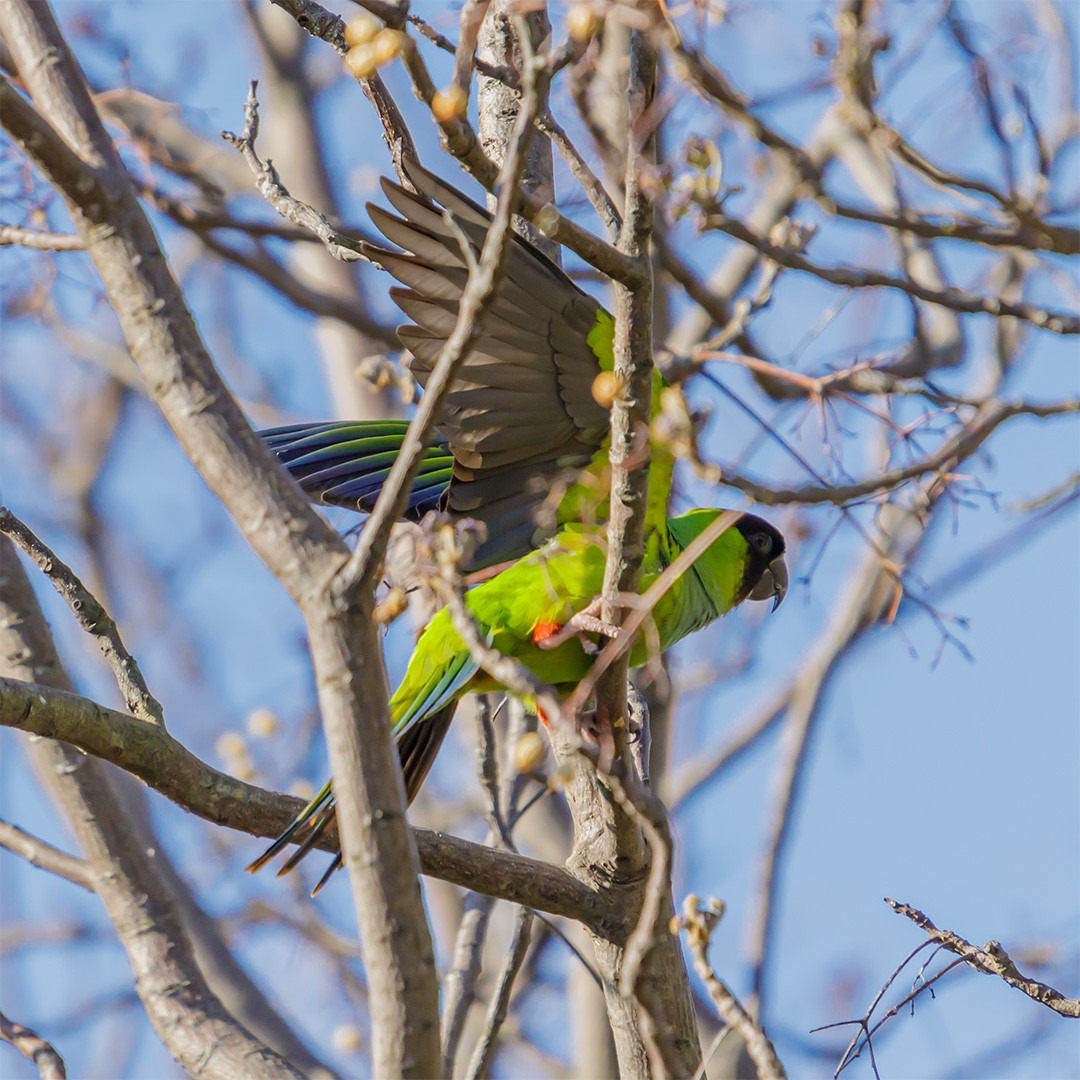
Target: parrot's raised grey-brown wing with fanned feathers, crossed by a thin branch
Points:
(522, 411)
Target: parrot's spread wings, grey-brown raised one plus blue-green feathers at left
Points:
(522, 420)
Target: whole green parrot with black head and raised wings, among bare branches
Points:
(529, 415)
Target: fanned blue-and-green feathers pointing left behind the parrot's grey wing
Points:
(346, 464)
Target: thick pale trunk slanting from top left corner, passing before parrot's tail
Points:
(283, 530)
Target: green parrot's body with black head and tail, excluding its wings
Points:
(522, 610)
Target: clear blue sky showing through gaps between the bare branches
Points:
(952, 786)
